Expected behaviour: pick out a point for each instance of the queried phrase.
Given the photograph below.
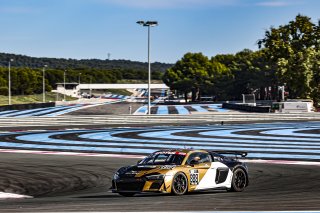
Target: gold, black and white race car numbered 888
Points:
(182, 171)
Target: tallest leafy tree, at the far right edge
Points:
(294, 48)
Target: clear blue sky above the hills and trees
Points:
(102, 29)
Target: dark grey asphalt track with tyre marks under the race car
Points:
(73, 183)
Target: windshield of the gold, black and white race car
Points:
(164, 159)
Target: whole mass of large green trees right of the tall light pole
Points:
(288, 56)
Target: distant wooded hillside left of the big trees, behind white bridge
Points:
(27, 72)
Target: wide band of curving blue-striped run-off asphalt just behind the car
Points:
(282, 144)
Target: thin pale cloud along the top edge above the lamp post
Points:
(166, 4)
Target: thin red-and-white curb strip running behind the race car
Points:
(285, 162)
